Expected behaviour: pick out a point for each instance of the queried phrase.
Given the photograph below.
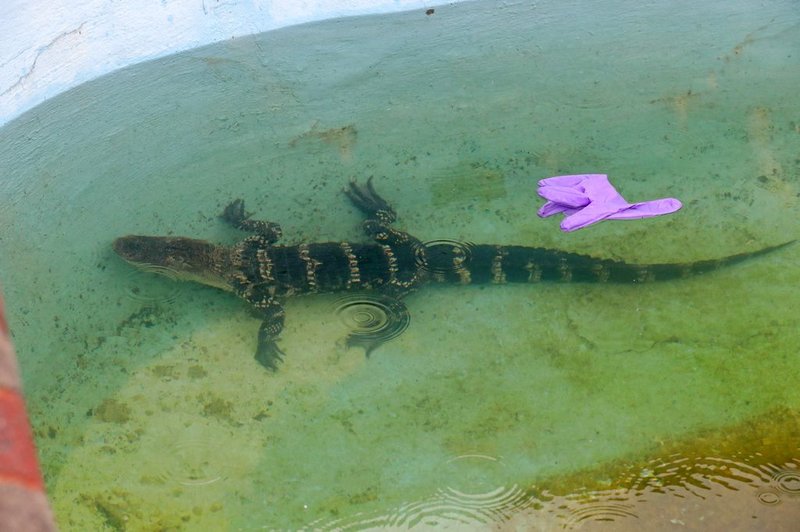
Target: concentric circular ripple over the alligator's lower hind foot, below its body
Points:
(371, 320)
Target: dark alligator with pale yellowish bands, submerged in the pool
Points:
(264, 273)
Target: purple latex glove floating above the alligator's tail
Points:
(589, 198)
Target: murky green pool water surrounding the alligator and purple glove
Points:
(550, 406)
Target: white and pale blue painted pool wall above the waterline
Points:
(49, 46)
